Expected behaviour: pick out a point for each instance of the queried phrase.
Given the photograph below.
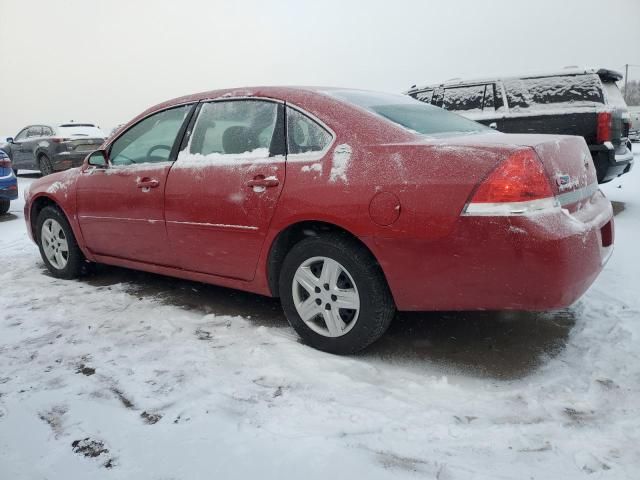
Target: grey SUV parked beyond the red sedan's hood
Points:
(51, 148)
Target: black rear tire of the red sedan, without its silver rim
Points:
(377, 308)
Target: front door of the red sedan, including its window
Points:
(121, 207)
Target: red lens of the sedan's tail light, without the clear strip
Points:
(519, 178)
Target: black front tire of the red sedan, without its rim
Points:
(76, 264)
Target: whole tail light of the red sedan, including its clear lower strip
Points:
(517, 186)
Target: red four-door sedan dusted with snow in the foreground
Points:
(346, 204)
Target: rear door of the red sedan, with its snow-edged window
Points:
(223, 189)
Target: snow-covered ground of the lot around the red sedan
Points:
(135, 376)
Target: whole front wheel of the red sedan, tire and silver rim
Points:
(58, 246)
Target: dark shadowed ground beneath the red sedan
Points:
(499, 345)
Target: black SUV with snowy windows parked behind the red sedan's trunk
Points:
(580, 102)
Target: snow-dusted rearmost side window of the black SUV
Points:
(563, 89)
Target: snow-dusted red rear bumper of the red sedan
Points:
(544, 261)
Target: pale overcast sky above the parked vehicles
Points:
(107, 60)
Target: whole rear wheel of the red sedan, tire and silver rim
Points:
(334, 294)
